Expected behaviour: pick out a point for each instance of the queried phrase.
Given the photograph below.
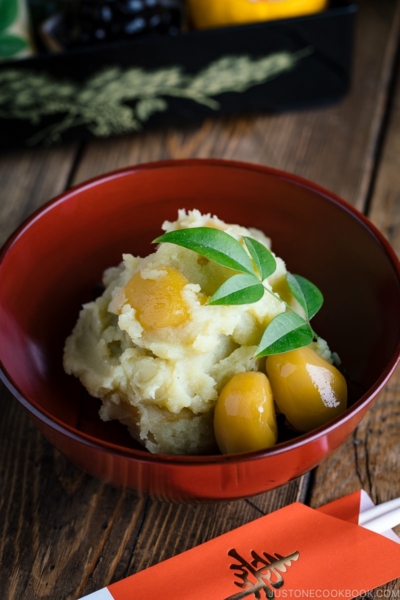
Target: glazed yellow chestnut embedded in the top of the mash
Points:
(158, 302)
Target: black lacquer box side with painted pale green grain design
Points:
(150, 82)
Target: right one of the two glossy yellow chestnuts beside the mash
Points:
(307, 389)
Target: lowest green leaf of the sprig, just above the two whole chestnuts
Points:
(286, 332)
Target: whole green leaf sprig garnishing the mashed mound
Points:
(253, 264)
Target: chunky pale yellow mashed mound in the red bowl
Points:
(160, 375)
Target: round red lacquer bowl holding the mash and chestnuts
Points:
(52, 264)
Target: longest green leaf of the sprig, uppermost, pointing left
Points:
(212, 243)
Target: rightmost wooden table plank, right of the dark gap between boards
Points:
(370, 459)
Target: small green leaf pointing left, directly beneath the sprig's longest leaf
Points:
(239, 289)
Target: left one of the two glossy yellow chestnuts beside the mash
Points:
(244, 416)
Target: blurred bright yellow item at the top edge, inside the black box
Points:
(219, 13)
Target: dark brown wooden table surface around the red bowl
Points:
(64, 534)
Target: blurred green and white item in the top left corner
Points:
(15, 38)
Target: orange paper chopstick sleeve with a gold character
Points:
(294, 552)
